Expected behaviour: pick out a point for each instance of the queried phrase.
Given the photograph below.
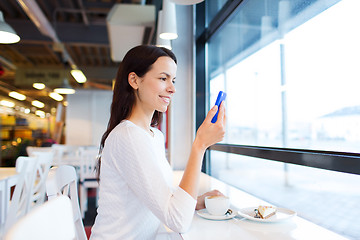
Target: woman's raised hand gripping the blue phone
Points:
(210, 133)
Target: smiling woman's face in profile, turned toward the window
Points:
(156, 87)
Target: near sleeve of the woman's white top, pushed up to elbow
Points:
(138, 164)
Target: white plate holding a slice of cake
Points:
(281, 215)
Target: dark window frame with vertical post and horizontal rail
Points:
(328, 160)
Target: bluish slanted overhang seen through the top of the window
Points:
(256, 23)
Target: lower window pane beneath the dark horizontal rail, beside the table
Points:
(327, 198)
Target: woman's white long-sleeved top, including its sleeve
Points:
(136, 192)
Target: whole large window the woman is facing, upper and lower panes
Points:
(290, 69)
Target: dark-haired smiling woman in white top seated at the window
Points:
(136, 195)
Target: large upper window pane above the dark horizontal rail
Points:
(290, 83)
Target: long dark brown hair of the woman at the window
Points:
(138, 60)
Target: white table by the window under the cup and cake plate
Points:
(241, 228)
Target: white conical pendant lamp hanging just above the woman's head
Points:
(168, 28)
